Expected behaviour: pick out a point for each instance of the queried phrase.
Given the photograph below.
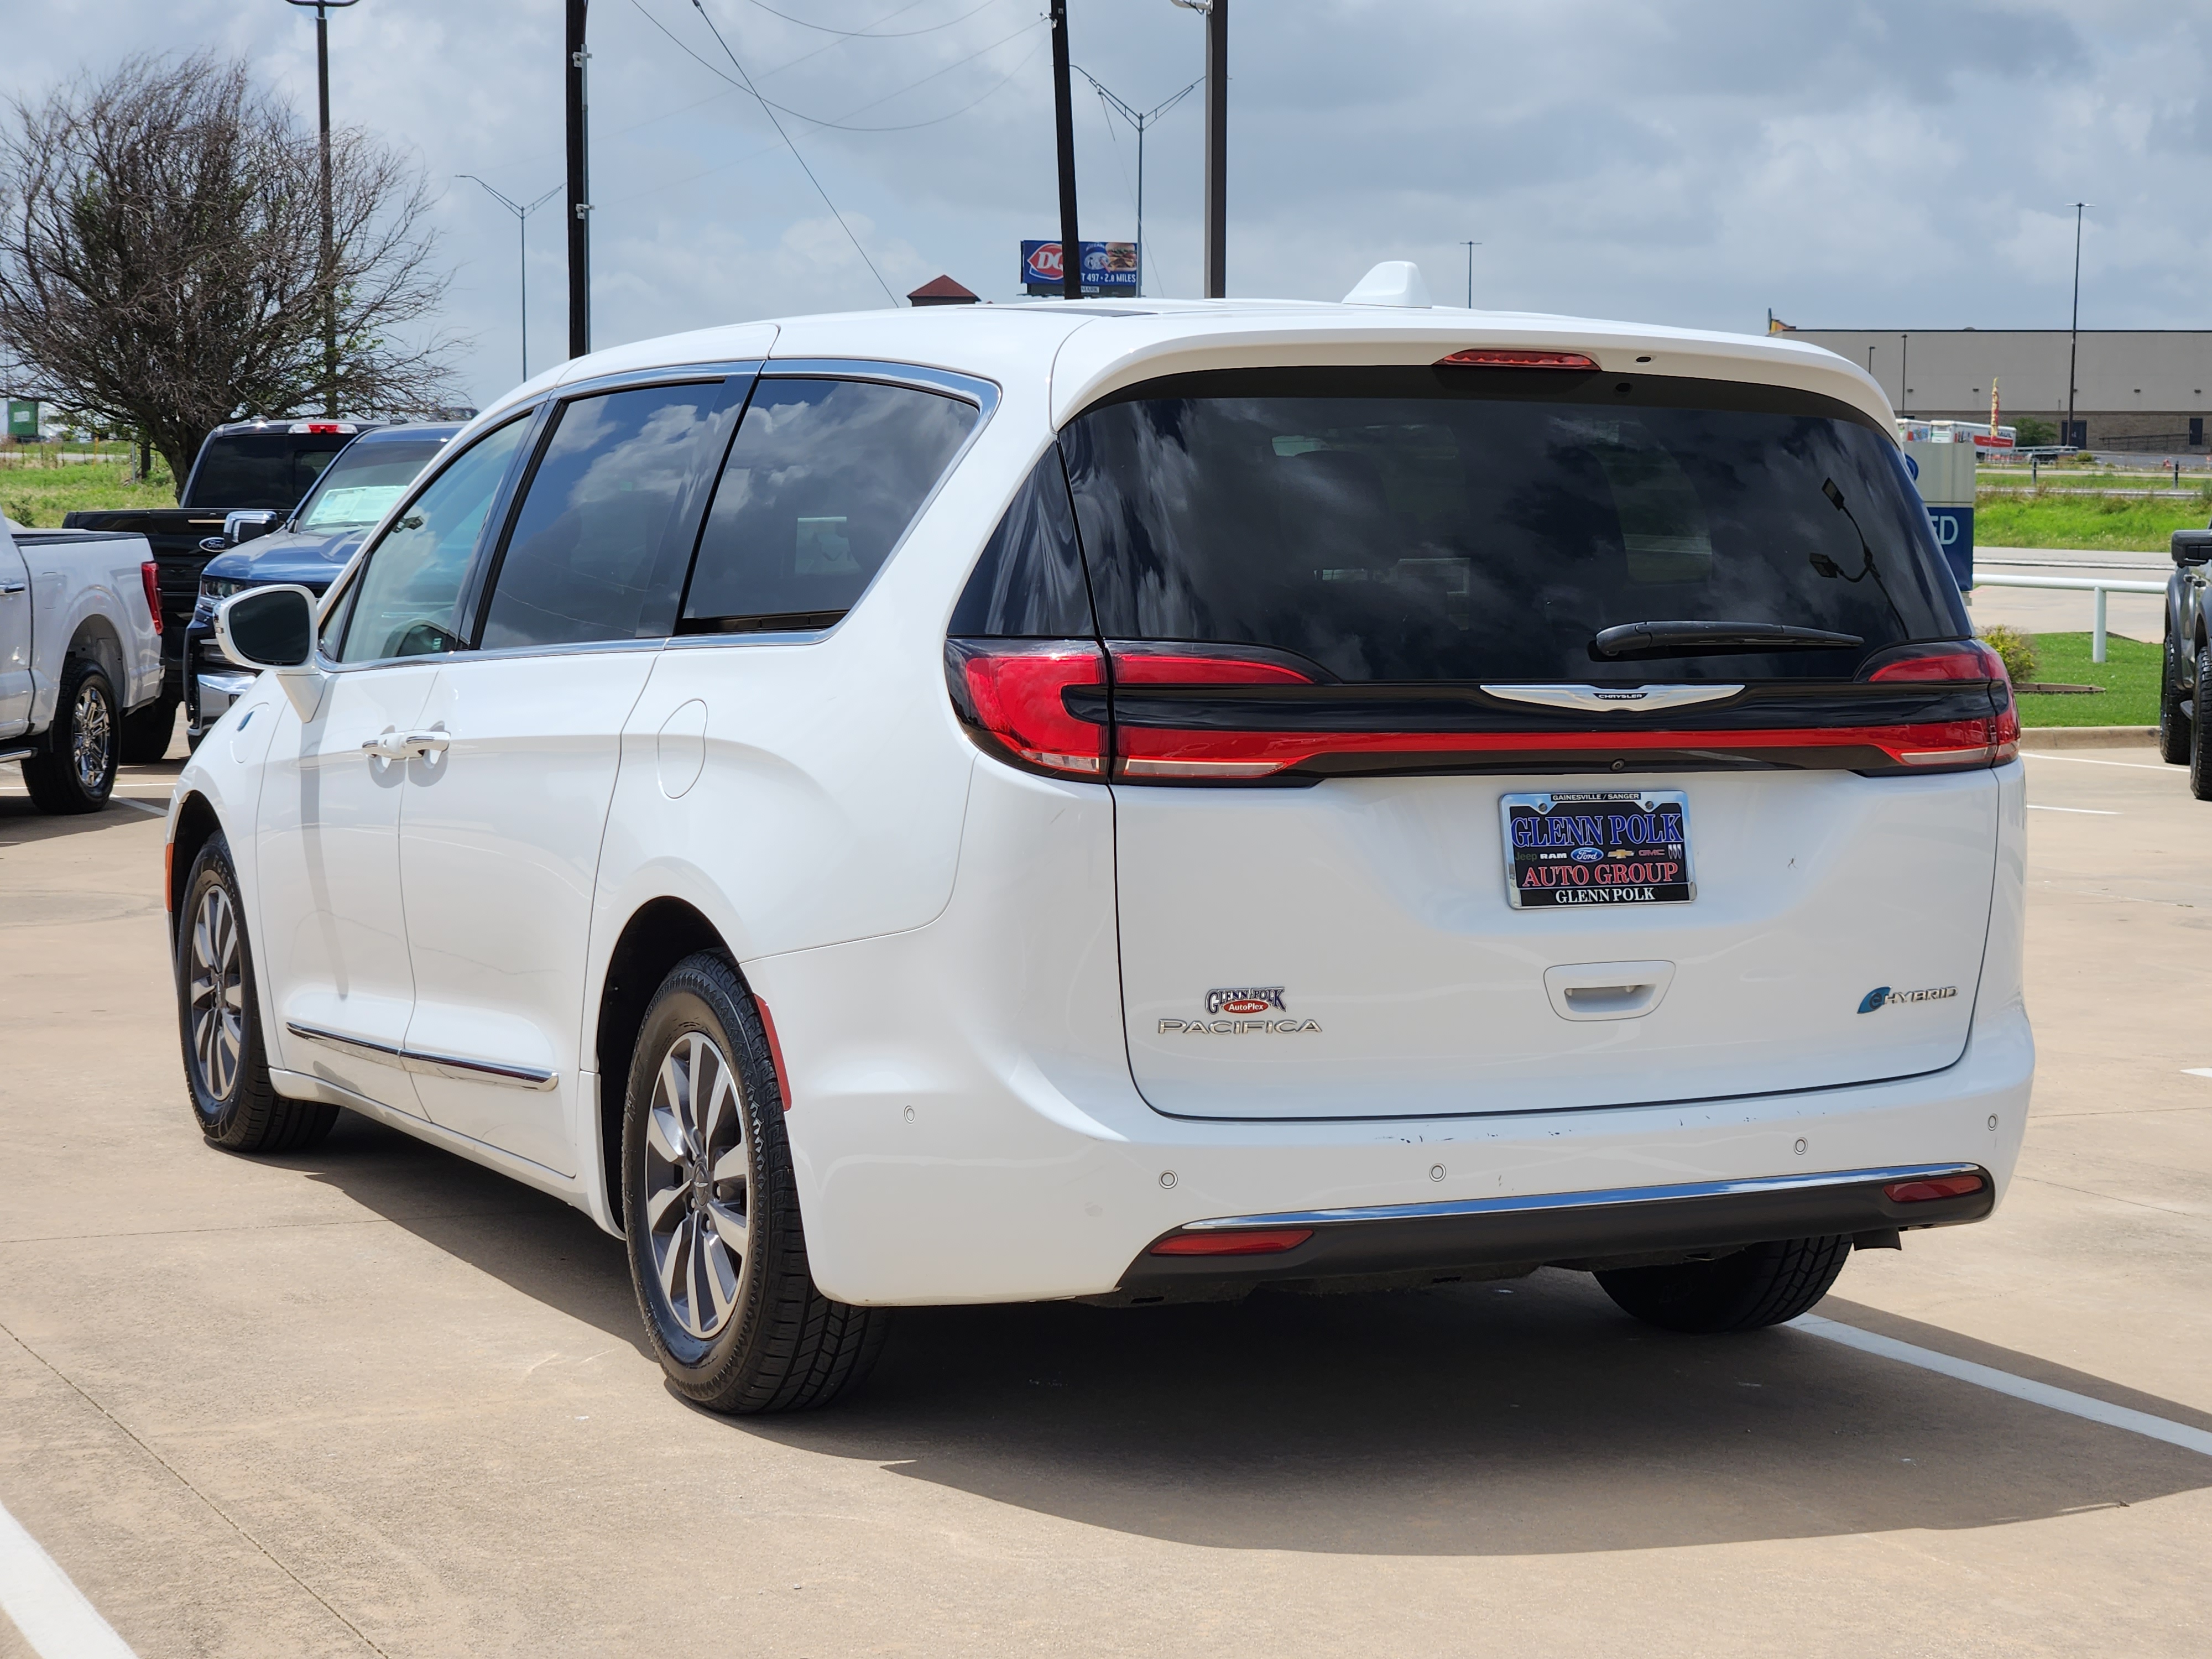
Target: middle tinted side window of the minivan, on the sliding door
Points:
(598, 552)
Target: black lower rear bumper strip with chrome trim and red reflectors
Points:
(1616, 1227)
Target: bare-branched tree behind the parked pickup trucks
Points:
(163, 258)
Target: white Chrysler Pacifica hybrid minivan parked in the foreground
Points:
(1138, 802)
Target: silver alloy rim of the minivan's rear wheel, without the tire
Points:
(698, 1191)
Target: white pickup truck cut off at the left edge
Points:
(81, 647)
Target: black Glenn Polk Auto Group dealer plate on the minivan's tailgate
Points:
(1598, 848)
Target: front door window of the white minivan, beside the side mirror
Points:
(404, 603)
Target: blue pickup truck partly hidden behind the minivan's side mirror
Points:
(311, 547)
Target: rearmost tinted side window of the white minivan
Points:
(822, 483)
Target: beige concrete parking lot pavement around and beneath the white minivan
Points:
(379, 1401)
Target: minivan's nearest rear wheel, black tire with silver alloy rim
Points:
(740, 1328)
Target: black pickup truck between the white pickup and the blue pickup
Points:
(249, 474)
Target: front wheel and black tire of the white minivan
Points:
(220, 1023)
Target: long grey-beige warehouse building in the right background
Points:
(2133, 388)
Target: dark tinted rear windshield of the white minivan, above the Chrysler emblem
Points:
(1434, 525)
